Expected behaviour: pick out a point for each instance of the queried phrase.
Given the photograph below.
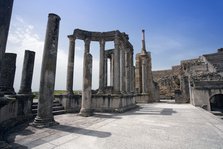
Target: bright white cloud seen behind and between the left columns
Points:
(23, 36)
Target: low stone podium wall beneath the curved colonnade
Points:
(99, 102)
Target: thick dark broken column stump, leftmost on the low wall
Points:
(8, 74)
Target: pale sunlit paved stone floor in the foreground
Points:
(152, 126)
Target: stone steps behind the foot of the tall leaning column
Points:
(57, 108)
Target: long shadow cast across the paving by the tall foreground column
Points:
(82, 131)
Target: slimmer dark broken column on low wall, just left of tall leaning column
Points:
(27, 73)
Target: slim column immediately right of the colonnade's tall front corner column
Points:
(122, 70)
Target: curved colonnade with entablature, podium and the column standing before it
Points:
(119, 96)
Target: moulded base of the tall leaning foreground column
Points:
(42, 123)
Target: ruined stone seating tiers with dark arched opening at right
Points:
(197, 81)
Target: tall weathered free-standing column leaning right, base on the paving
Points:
(44, 116)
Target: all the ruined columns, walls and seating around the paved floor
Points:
(197, 81)
